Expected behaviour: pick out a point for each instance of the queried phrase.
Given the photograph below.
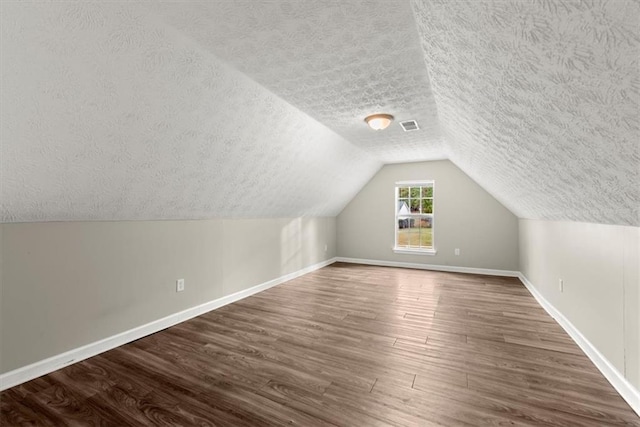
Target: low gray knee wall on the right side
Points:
(599, 266)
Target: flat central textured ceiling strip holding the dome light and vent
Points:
(338, 61)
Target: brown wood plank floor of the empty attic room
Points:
(347, 345)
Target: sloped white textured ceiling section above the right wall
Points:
(538, 102)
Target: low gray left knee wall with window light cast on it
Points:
(67, 284)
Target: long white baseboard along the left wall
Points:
(43, 367)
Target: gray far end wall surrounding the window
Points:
(466, 217)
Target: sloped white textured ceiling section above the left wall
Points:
(109, 114)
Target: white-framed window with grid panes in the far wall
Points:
(414, 217)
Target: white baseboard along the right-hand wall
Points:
(628, 392)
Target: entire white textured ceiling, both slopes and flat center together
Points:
(194, 109)
